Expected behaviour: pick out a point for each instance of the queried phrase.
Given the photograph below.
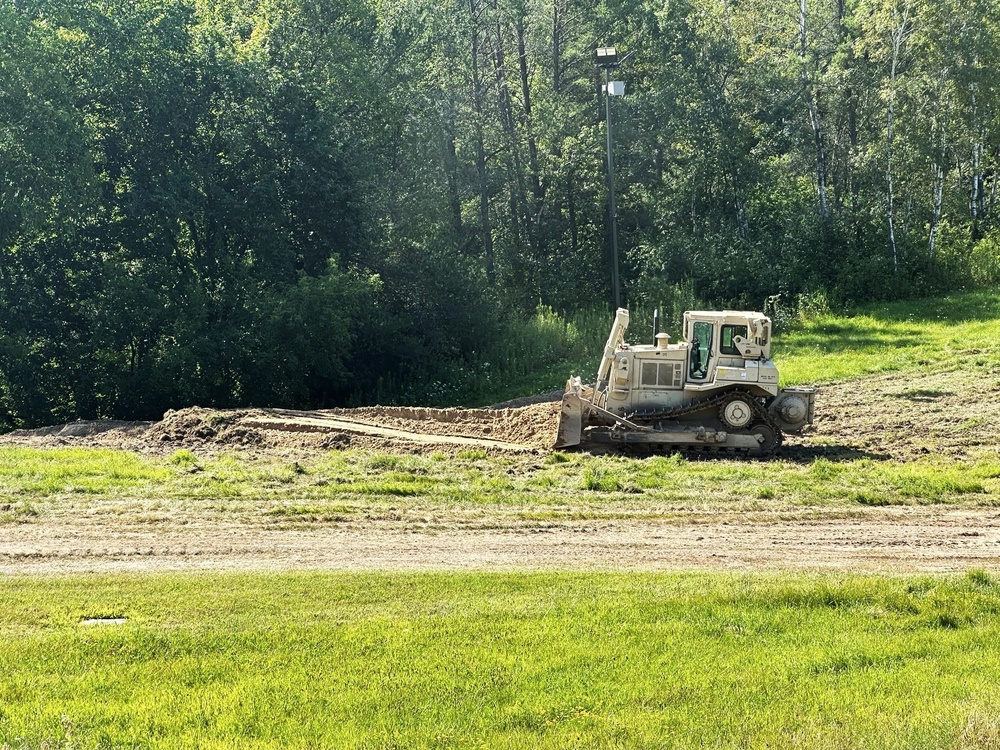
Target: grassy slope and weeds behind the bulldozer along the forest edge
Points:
(960, 330)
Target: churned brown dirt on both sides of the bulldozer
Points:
(898, 415)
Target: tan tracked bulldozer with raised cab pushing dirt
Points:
(715, 390)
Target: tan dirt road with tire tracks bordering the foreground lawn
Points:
(908, 539)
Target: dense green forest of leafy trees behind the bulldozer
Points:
(294, 203)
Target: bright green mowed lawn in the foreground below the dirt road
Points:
(490, 660)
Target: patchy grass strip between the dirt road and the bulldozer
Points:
(345, 485)
